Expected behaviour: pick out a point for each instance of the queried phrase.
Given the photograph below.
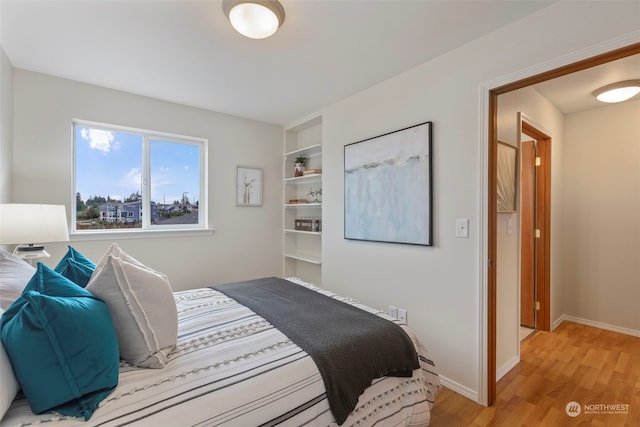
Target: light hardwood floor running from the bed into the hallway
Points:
(574, 363)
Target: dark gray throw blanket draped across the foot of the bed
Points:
(351, 347)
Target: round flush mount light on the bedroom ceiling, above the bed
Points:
(256, 19)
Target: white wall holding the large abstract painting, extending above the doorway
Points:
(441, 286)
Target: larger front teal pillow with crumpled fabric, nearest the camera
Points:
(62, 345)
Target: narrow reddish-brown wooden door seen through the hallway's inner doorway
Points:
(527, 235)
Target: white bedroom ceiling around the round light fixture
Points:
(185, 51)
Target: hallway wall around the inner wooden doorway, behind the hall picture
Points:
(541, 112)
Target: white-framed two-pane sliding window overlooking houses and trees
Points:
(134, 180)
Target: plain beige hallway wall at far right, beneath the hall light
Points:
(600, 249)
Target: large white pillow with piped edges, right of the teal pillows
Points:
(141, 305)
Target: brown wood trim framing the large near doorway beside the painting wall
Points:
(492, 132)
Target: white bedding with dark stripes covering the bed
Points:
(232, 368)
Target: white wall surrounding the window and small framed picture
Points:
(247, 241)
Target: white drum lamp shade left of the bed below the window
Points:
(32, 223)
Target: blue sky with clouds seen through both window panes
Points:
(109, 163)
